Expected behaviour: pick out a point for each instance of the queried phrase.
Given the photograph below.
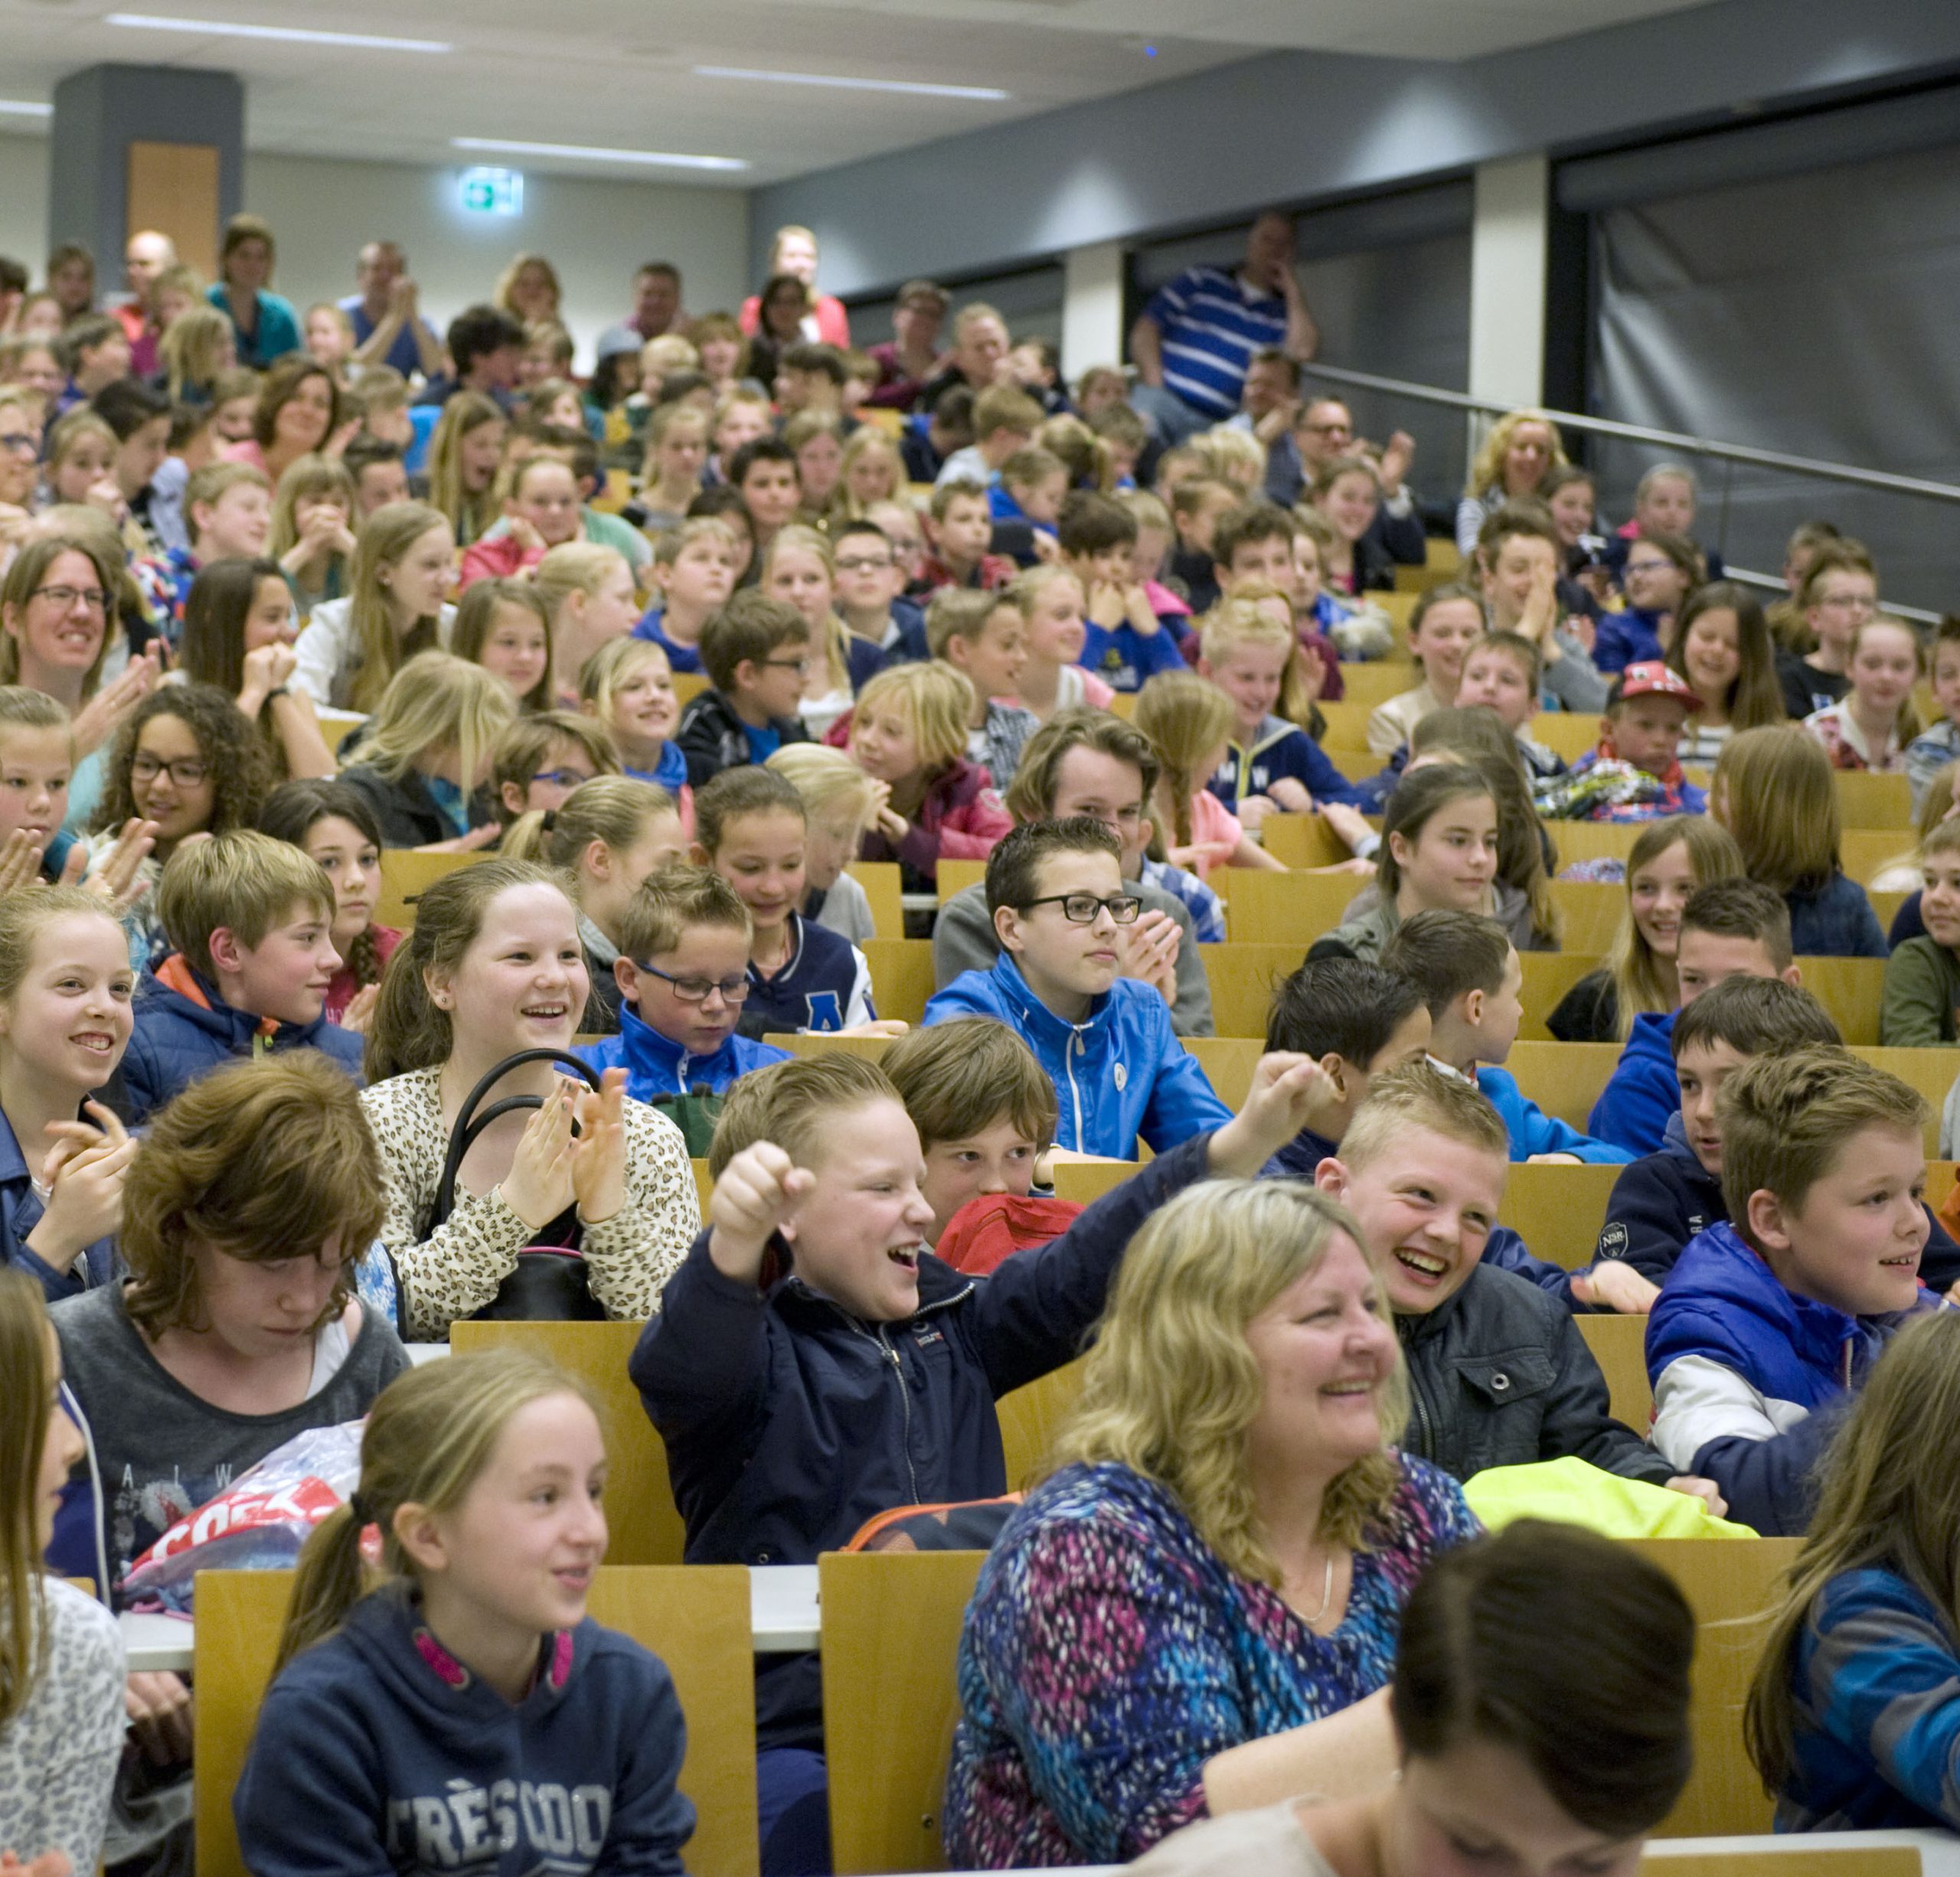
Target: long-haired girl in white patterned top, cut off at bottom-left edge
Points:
(62, 1659)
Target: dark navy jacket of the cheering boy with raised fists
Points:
(789, 1421)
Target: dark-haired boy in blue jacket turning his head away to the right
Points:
(1475, 985)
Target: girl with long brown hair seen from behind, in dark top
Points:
(1777, 794)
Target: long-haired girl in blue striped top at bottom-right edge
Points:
(1853, 1715)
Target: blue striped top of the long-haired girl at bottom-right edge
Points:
(1877, 1721)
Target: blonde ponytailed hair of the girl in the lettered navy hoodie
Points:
(426, 1443)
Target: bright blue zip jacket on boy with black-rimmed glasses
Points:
(1118, 1077)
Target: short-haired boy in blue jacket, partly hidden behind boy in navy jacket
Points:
(1730, 930)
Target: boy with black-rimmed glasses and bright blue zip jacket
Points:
(1057, 900)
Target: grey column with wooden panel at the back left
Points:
(146, 146)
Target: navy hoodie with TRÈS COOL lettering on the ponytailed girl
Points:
(379, 1753)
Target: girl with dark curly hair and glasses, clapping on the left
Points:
(189, 763)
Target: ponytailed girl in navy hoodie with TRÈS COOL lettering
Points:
(467, 1713)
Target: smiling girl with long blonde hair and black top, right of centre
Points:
(1669, 861)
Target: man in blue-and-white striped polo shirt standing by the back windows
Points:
(1197, 340)
